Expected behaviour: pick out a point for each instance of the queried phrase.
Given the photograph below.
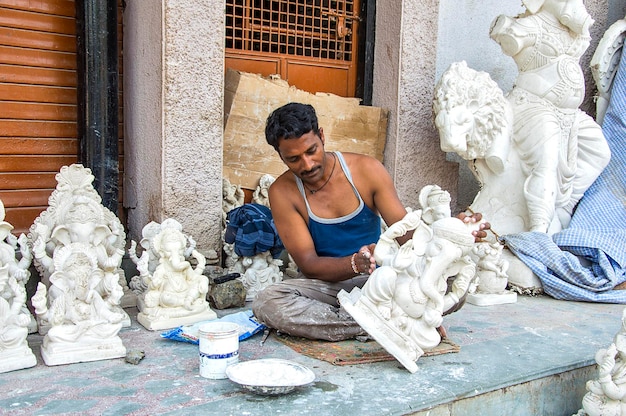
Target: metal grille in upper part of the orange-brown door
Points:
(307, 28)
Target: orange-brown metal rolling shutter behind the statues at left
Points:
(37, 103)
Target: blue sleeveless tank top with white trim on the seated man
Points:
(343, 236)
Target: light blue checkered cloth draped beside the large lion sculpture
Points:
(588, 259)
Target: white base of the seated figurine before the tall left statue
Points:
(58, 353)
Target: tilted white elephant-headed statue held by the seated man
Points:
(403, 302)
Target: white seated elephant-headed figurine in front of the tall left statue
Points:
(81, 307)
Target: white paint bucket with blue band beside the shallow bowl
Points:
(219, 348)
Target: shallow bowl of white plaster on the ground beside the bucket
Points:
(269, 376)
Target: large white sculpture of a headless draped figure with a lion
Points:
(534, 153)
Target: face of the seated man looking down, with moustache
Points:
(304, 156)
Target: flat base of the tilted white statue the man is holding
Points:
(389, 337)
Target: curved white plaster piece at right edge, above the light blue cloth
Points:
(604, 64)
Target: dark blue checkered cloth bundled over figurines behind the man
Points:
(251, 229)
